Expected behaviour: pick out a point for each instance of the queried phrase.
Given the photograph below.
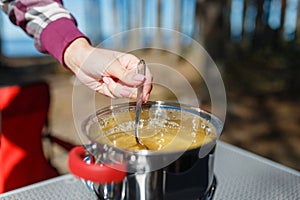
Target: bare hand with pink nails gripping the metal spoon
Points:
(108, 72)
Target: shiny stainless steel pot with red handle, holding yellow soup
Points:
(116, 173)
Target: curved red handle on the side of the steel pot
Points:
(99, 173)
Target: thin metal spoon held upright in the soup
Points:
(141, 69)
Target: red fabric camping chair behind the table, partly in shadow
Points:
(23, 113)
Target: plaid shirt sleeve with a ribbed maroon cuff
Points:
(48, 22)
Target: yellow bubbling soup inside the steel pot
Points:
(172, 131)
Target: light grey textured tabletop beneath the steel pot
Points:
(240, 175)
